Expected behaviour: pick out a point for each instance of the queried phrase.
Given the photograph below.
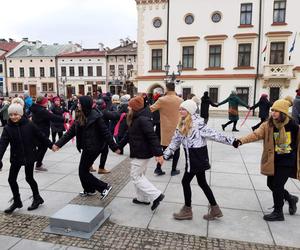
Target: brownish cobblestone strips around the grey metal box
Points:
(111, 235)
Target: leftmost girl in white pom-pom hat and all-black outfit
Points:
(21, 134)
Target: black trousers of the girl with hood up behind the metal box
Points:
(88, 181)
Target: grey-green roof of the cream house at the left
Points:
(43, 51)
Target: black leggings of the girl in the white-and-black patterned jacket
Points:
(186, 184)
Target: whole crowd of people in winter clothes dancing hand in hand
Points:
(155, 125)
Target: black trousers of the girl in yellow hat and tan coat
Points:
(276, 184)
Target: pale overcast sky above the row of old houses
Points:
(86, 22)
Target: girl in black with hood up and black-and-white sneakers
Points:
(91, 136)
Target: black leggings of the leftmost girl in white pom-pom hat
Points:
(12, 180)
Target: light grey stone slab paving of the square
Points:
(240, 190)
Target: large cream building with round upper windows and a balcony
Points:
(220, 44)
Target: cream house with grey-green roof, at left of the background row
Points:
(32, 68)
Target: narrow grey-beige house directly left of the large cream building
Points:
(122, 67)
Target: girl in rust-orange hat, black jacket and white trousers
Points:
(143, 144)
